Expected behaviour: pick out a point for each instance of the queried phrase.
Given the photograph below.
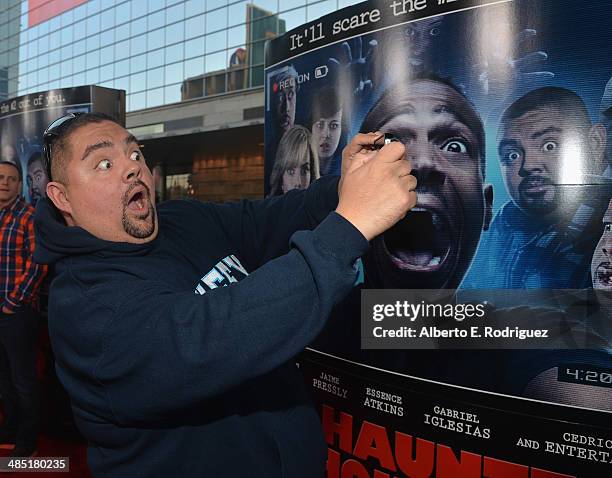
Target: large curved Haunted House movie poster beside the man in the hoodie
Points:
(477, 340)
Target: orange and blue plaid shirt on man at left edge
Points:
(20, 276)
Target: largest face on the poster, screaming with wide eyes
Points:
(434, 244)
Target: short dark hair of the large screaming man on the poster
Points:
(392, 104)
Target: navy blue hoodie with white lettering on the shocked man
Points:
(177, 354)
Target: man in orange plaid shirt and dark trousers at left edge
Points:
(20, 279)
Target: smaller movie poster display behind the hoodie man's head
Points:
(24, 119)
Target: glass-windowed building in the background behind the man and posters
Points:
(191, 69)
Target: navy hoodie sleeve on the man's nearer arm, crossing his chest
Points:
(165, 351)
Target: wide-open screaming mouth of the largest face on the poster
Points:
(419, 242)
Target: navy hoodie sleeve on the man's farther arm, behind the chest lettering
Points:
(261, 229)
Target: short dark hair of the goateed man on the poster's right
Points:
(567, 101)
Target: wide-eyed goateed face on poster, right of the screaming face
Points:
(538, 151)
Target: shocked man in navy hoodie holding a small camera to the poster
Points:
(175, 326)
